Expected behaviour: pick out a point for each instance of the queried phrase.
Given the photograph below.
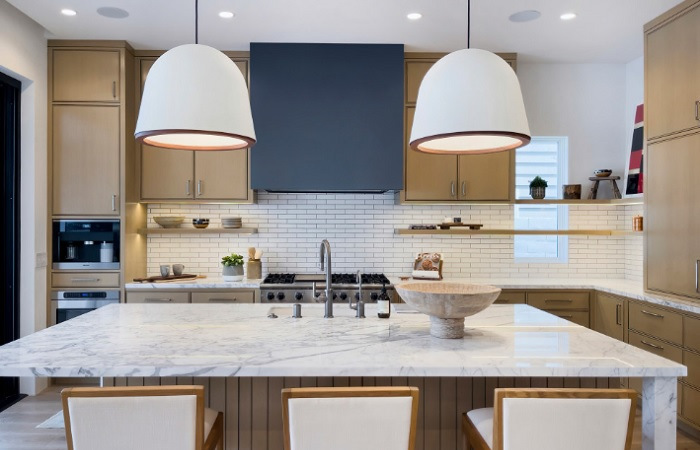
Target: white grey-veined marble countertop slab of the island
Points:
(211, 340)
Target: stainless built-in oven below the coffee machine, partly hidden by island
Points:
(68, 304)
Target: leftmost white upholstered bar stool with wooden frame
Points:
(148, 417)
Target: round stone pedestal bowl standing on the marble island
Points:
(448, 304)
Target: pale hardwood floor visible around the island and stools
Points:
(18, 426)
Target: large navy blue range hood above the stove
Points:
(328, 117)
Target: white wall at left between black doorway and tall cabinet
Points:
(23, 56)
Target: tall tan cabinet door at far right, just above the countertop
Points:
(672, 216)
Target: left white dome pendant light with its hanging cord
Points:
(195, 98)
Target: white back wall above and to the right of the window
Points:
(585, 102)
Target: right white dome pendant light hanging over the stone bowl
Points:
(469, 102)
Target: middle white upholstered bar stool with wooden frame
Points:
(350, 418)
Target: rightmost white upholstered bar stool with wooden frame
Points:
(553, 419)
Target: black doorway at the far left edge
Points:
(10, 91)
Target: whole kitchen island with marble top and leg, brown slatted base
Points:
(245, 358)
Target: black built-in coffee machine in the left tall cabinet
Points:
(85, 244)
